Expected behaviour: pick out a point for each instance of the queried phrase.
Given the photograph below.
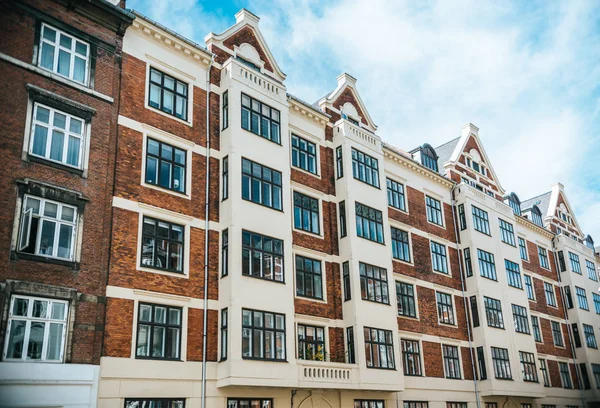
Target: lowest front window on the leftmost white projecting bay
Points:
(263, 335)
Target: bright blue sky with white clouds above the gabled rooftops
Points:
(526, 73)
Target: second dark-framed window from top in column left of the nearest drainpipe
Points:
(165, 166)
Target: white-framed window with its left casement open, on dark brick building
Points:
(48, 228)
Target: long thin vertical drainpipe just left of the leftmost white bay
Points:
(206, 209)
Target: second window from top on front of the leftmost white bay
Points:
(261, 184)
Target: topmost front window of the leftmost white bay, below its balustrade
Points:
(260, 119)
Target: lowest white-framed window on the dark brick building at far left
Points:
(36, 329)
